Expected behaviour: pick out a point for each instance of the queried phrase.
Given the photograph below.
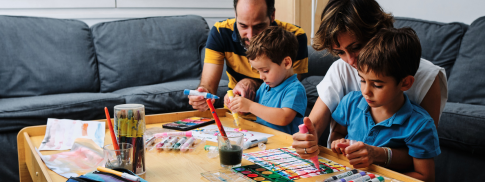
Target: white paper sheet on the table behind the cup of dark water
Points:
(209, 133)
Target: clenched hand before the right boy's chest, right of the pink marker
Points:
(361, 155)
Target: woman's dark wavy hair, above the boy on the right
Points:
(362, 18)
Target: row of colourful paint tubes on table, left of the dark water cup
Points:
(177, 141)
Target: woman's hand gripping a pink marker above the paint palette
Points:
(306, 141)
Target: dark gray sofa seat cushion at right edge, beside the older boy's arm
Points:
(461, 126)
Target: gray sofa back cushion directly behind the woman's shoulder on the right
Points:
(440, 42)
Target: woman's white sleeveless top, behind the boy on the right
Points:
(341, 78)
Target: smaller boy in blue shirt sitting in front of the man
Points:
(280, 102)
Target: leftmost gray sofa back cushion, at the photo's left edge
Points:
(41, 56)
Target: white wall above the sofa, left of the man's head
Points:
(95, 11)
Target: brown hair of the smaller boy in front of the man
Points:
(274, 42)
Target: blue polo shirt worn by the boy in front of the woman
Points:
(411, 126)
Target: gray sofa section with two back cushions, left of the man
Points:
(53, 68)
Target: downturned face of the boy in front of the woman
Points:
(379, 90)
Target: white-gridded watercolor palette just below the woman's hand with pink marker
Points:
(288, 163)
